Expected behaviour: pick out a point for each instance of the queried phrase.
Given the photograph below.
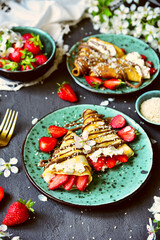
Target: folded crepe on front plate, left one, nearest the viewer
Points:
(68, 160)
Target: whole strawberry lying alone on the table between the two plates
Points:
(66, 92)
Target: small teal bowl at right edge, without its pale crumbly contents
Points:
(144, 97)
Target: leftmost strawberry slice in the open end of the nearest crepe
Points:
(57, 181)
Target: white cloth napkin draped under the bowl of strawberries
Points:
(53, 16)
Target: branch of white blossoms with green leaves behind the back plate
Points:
(138, 21)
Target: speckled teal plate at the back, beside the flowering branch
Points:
(128, 43)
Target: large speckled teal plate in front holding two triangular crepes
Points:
(106, 188)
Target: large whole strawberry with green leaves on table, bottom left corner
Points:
(18, 212)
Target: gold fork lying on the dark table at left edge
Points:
(7, 127)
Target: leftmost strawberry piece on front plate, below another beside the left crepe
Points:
(47, 144)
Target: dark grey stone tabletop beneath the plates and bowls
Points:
(52, 220)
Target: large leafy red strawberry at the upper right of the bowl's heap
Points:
(34, 45)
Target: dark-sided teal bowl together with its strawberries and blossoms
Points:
(26, 53)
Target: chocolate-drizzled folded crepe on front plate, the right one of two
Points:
(107, 142)
